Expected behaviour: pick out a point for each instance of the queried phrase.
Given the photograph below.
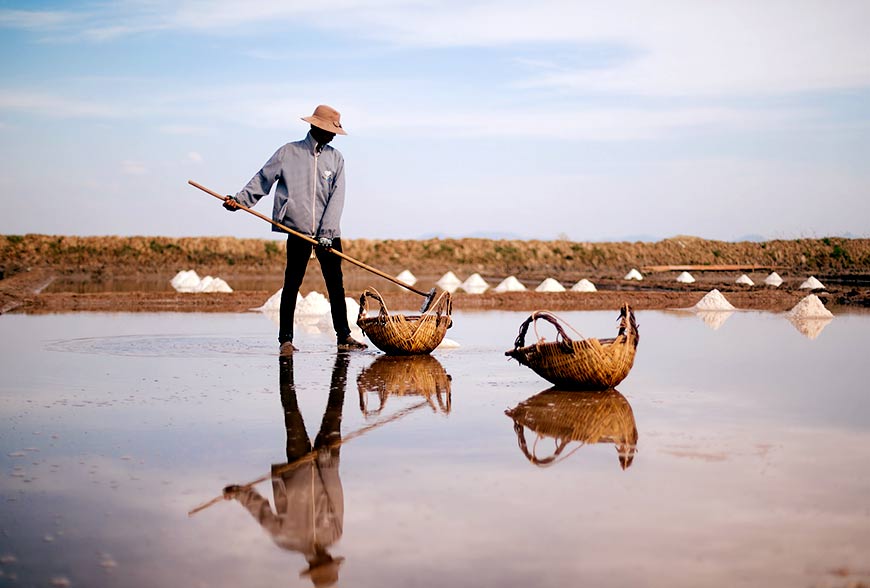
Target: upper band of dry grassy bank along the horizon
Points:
(219, 255)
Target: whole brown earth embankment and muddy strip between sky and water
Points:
(132, 273)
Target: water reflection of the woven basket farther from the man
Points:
(582, 417)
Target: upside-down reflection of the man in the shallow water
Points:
(309, 502)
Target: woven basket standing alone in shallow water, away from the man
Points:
(584, 364)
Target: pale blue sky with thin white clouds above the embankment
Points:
(554, 119)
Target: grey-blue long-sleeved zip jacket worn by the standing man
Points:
(310, 193)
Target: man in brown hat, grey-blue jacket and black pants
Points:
(309, 199)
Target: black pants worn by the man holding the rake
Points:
(298, 254)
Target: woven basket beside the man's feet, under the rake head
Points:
(397, 334)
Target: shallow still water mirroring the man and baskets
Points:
(735, 453)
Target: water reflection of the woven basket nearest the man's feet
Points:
(419, 375)
